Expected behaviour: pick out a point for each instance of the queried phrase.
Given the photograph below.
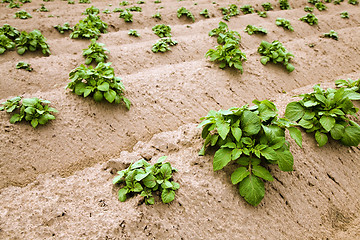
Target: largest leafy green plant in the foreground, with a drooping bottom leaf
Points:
(252, 137)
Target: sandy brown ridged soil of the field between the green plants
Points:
(55, 180)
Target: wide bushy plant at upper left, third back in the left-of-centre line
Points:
(89, 27)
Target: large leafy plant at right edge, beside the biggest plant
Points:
(325, 112)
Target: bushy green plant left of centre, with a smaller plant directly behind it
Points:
(99, 82)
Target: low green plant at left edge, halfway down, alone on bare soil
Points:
(34, 110)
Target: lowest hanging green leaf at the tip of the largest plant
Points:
(252, 189)
